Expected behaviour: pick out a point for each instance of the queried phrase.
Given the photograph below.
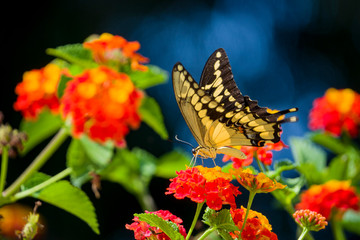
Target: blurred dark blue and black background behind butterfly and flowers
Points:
(282, 53)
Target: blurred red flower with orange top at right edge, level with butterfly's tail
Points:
(337, 111)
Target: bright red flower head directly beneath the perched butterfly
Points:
(202, 184)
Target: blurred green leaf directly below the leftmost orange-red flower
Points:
(46, 125)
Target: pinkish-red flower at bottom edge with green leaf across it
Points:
(143, 231)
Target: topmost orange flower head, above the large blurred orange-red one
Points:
(109, 49)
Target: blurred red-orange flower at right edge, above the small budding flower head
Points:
(333, 195)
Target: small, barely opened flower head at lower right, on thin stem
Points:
(311, 220)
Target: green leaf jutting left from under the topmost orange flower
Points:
(74, 53)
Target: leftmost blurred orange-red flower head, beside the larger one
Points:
(38, 91)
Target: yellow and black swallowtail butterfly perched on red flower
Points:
(218, 115)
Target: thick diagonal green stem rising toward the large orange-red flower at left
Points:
(38, 162)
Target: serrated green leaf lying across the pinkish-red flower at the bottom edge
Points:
(168, 227)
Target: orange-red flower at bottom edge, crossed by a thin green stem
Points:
(257, 225)
